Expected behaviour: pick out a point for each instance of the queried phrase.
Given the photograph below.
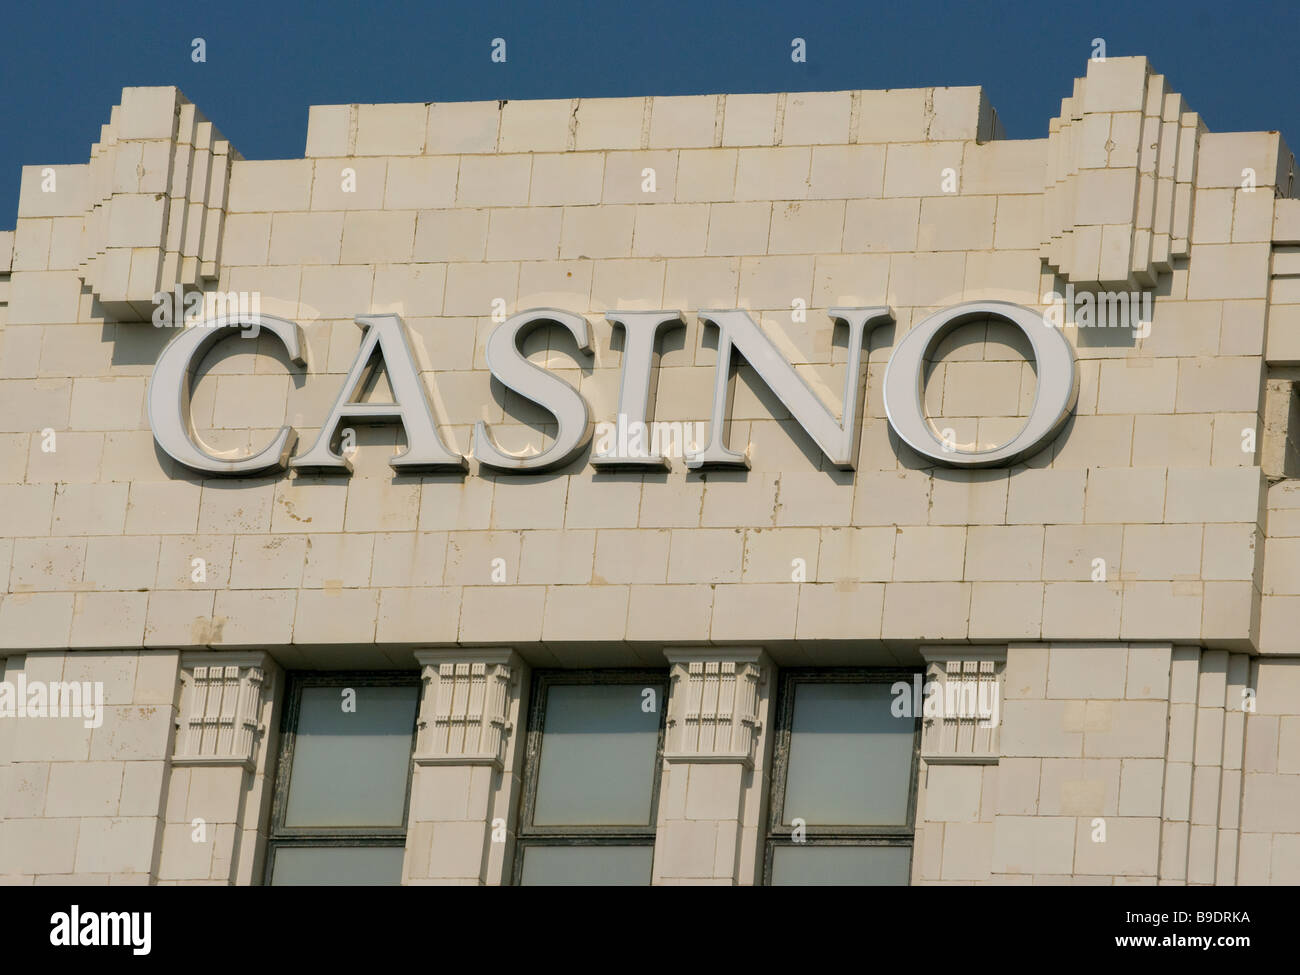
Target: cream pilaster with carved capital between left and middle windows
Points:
(467, 768)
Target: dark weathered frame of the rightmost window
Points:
(778, 833)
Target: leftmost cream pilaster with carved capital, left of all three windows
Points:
(222, 770)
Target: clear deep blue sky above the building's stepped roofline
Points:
(64, 66)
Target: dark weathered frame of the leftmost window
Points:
(301, 837)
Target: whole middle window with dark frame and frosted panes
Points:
(592, 778)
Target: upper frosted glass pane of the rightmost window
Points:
(851, 759)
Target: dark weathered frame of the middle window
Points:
(528, 834)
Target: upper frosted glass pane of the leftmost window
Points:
(350, 769)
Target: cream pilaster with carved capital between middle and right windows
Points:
(712, 800)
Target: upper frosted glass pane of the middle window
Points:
(599, 756)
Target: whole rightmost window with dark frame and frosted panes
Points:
(844, 781)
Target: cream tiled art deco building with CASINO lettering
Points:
(740, 489)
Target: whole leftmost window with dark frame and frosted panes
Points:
(344, 779)
